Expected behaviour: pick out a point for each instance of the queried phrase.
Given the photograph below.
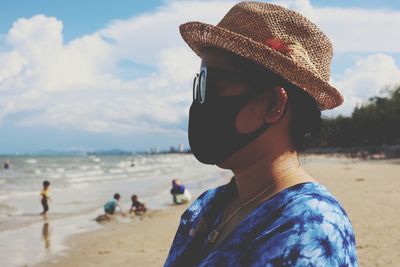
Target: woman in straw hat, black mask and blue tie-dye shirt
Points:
(256, 103)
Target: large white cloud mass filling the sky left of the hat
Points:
(76, 84)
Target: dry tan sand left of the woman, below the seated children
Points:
(140, 242)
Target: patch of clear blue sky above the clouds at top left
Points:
(79, 17)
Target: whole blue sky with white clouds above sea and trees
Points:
(94, 75)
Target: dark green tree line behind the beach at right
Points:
(374, 123)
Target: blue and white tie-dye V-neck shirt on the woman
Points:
(303, 225)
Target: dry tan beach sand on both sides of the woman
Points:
(366, 189)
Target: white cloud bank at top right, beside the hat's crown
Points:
(354, 29)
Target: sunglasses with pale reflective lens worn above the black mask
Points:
(209, 75)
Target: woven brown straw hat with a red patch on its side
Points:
(279, 39)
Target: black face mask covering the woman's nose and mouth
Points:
(212, 132)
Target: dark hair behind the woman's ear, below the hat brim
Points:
(306, 121)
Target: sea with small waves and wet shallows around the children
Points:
(80, 185)
